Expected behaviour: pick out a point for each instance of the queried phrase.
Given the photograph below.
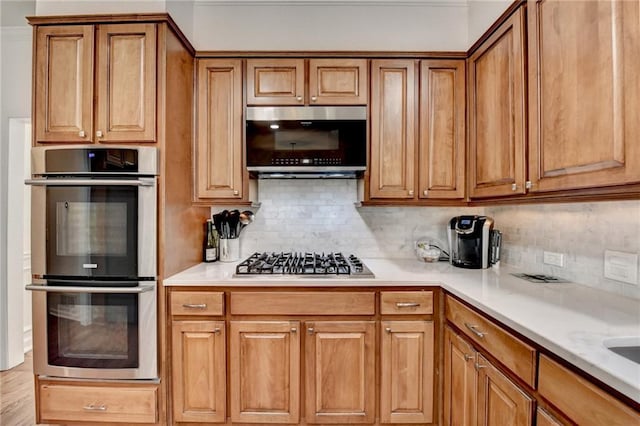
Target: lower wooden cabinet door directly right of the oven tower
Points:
(198, 371)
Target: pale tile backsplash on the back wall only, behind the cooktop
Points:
(320, 215)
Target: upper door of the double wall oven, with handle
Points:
(94, 228)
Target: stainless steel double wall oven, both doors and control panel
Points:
(94, 227)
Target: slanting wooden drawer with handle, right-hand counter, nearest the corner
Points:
(516, 355)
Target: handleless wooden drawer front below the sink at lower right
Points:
(585, 404)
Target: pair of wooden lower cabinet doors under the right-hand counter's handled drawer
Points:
(476, 392)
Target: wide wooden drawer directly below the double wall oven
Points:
(98, 403)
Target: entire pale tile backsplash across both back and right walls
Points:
(320, 215)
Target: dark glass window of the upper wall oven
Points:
(93, 231)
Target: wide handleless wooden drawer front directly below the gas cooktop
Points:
(303, 303)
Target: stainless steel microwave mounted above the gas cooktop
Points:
(317, 141)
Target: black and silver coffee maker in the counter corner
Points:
(473, 242)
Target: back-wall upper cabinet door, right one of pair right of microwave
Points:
(442, 129)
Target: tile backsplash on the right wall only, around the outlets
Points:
(581, 231)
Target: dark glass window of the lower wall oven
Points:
(92, 330)
